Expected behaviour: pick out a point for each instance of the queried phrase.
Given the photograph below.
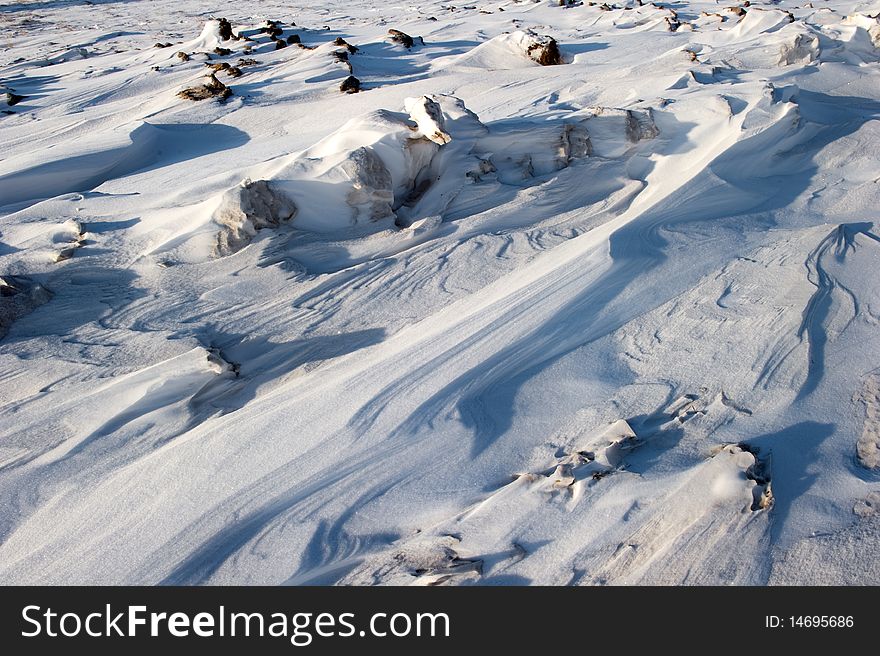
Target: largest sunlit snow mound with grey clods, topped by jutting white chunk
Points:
(358, 177)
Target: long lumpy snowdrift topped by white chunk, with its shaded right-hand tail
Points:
(390, 168)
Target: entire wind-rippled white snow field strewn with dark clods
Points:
(546, 293)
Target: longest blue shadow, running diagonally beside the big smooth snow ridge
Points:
(485, 393)
